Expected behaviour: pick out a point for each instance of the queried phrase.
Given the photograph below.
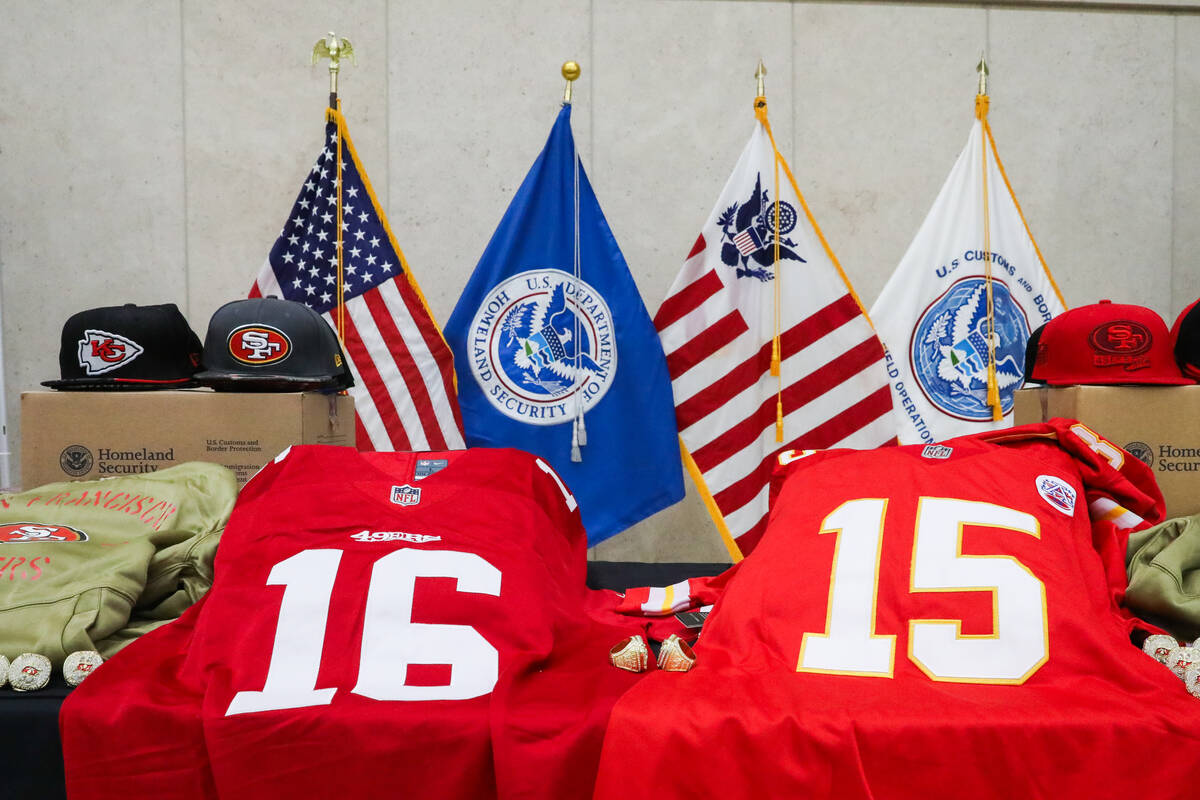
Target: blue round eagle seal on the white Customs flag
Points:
(950, 348)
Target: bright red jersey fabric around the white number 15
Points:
(1095, 719)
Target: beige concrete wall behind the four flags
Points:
(151, 151)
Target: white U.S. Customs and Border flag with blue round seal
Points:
(959, 309)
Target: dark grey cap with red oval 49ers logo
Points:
(267, 345)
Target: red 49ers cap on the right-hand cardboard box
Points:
(1103, 344)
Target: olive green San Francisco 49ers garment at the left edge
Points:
(92, 566)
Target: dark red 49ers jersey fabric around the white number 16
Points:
(154, 723)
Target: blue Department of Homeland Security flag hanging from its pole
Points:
(550, 356)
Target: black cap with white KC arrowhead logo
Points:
(128, 347)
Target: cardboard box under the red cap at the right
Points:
(1160, 425)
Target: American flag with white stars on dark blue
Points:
(404, 374)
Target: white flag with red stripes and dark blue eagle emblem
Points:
(767, 344)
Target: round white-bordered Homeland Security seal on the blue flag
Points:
(539, 340)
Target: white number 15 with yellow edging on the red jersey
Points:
(1019, 643)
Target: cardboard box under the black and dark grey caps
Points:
(83, 436)
